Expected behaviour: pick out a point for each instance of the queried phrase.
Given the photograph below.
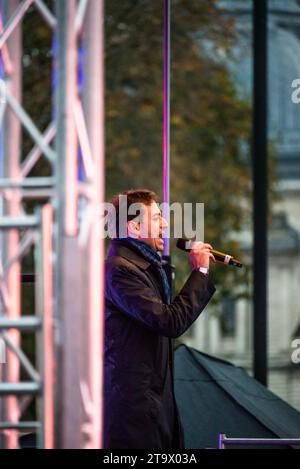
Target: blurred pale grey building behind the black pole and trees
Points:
(228, 332)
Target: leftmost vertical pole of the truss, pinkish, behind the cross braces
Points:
(12, 170)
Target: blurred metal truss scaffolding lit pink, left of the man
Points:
(64, 233)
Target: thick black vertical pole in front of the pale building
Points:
(260, 189)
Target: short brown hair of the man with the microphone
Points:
(134, 196)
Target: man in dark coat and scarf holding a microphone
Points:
(140, 410)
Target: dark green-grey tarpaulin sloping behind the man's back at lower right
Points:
(216, 397)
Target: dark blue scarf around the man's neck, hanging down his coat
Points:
(146, 251)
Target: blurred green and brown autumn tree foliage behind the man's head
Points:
(209, 122)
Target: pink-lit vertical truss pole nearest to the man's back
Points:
(94, 112)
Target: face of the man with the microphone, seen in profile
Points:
(151, 226)
